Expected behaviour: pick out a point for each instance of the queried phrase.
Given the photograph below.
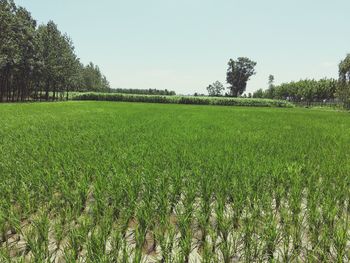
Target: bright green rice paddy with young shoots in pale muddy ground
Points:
(131, 182)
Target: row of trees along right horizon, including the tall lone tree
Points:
(239, 72)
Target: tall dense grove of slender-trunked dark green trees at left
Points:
(38, 62)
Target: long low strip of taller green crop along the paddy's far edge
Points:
(184, 100)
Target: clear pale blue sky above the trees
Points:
(184, 45)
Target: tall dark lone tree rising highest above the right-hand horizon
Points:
(238, 73)
